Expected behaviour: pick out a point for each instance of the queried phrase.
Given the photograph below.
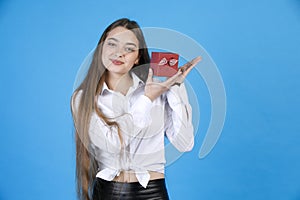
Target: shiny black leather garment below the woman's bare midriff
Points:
(112, 190)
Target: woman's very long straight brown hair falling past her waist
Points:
(86, 165)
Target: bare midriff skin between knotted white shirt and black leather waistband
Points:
(129, 176)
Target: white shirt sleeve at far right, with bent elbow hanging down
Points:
(178, 119)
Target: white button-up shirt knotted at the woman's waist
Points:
(143, 125)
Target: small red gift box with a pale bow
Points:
(164, 63)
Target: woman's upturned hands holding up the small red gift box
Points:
(155, 89)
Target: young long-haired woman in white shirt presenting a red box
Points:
(121, 116)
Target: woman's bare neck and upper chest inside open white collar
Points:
(119, 83)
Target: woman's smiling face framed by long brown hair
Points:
(120, 51)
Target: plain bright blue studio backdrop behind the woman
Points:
(255, 44)
